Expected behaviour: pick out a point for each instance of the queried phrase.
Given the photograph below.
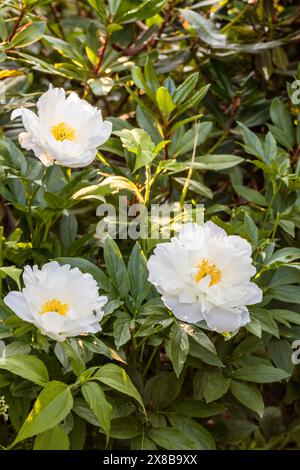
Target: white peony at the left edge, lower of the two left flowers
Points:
(61, 301)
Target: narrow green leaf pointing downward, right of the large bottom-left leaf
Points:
(95, 397)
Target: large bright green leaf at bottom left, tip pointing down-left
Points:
(52, 405)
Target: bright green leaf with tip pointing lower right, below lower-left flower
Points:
(116, 378)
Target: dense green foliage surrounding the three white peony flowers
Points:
(216, 73)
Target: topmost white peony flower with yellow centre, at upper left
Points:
(66, 131)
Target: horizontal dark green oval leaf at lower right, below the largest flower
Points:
(260, 374)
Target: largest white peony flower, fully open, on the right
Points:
(203, 274)
